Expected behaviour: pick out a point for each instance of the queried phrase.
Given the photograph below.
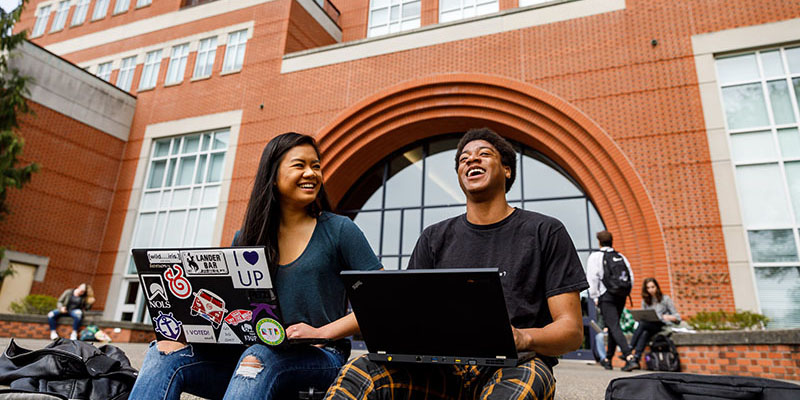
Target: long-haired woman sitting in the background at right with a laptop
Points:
(652, 298)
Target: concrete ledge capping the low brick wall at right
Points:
(715, 338)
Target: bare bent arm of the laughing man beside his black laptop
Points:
(562, 335)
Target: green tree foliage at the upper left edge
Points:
(12, 103)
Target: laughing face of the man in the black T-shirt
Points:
(481, 171)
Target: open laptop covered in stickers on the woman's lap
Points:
(211, 295)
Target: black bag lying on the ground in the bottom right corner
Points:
(672, 386)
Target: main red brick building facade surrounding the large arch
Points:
(645, 98)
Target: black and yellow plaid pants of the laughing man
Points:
(365, 379)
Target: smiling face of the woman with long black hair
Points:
(299, 176)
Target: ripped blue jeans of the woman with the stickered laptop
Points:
(213, 372)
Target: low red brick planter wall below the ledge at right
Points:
(764, 361)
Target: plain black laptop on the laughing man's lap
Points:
(441, 316)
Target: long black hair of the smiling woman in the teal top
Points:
(262, 218)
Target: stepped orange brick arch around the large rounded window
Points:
(368, 131)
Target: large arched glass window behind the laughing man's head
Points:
(417, 186)
